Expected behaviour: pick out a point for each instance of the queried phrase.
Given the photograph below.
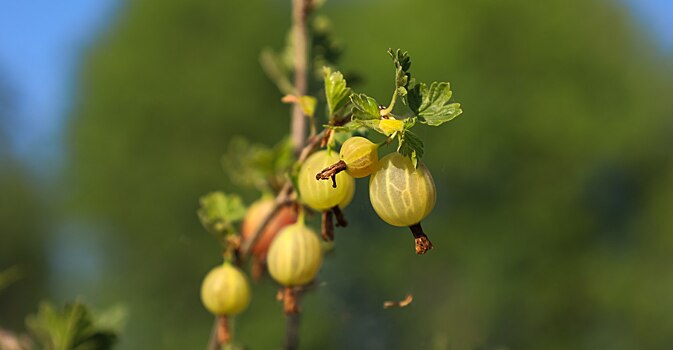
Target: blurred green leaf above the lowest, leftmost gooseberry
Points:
(219, 211)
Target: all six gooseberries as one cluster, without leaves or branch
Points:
(400, 193)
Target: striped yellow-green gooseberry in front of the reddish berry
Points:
(295, 256)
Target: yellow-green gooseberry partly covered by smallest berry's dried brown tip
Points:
(321, 195)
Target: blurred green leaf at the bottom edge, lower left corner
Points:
(73, 328)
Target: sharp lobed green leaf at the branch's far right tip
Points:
(432, 105)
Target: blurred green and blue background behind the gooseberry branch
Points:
(553, 227)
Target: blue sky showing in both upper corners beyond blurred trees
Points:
(41, 42)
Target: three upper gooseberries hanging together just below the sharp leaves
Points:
(400, 193)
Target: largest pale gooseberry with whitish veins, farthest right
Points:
(401, 194)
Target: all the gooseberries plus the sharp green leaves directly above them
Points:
(401, 191)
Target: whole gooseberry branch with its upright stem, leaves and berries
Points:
(314, 170)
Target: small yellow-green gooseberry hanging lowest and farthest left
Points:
(225, 290)
